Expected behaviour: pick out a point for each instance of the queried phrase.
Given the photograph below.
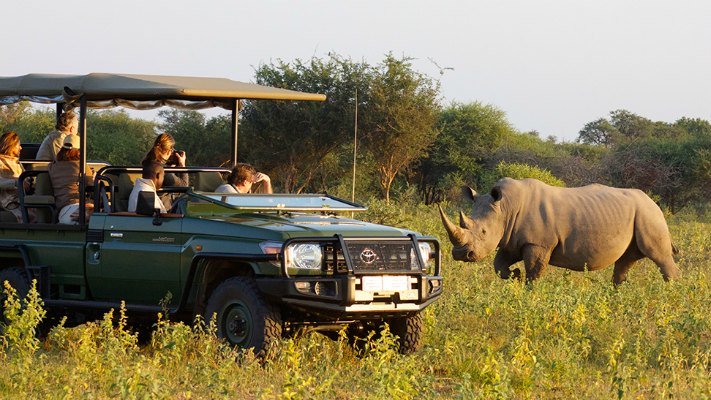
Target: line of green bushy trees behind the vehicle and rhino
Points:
(408, 142)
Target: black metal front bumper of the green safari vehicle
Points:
(342, 297)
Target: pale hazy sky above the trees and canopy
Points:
(551, 65)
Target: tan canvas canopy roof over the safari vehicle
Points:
(103, 90)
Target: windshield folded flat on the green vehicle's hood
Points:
(284, 202)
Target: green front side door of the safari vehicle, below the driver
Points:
(137, 259)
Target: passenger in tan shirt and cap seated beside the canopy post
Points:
(64, 174)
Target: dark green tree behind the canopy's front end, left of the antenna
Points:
(292, 140)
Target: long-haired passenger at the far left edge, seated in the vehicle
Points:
(10, 170)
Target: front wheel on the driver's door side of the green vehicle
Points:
(243, 317)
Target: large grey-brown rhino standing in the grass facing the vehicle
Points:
(581, 228)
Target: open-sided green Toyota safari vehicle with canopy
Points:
(263, 265)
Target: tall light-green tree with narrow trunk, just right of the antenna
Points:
(400, 118)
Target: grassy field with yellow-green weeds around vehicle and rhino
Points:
(570, 335)
